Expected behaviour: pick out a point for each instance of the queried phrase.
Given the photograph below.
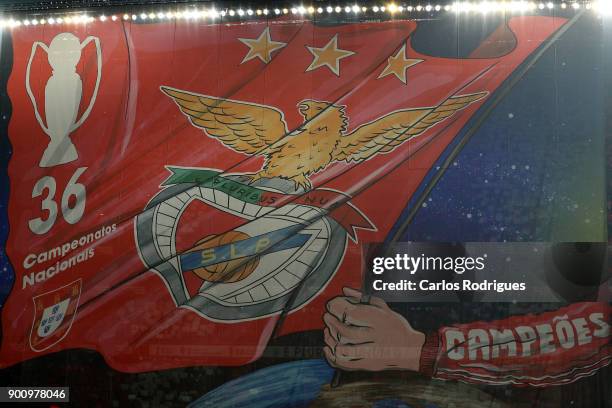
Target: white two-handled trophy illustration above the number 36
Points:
(63, 94)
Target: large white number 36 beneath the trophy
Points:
(72, 215)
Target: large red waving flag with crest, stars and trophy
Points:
(178, 187)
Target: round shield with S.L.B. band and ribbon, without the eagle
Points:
(249, 272)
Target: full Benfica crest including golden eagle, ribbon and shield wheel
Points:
(294, 236)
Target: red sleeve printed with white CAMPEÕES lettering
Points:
(551, 348)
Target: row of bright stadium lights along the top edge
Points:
(193, 13)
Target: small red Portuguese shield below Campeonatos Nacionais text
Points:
(54, 312)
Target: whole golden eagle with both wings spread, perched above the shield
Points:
(321, 140)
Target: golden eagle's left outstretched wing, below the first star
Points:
(243, 126)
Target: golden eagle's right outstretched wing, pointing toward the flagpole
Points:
(389, 131)
